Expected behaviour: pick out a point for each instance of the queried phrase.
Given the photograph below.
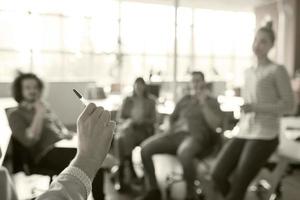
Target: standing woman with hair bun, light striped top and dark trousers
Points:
(268, 95)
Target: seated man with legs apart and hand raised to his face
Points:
(191, 135)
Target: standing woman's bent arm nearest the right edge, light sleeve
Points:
(285, 103)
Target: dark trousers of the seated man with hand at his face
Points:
(181, 144)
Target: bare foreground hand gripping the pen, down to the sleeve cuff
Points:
(95, 132)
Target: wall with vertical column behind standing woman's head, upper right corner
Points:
(286, 17)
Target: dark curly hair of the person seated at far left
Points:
(17, 85)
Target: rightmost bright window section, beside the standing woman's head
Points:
(223, 43)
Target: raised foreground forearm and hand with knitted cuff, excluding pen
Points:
(95, 132)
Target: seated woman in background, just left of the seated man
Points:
(137, 115)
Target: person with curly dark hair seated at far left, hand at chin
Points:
(36, 128)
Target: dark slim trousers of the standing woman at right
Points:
(238, 163)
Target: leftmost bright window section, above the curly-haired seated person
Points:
(59, 41)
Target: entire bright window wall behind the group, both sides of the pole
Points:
(116, 41)
